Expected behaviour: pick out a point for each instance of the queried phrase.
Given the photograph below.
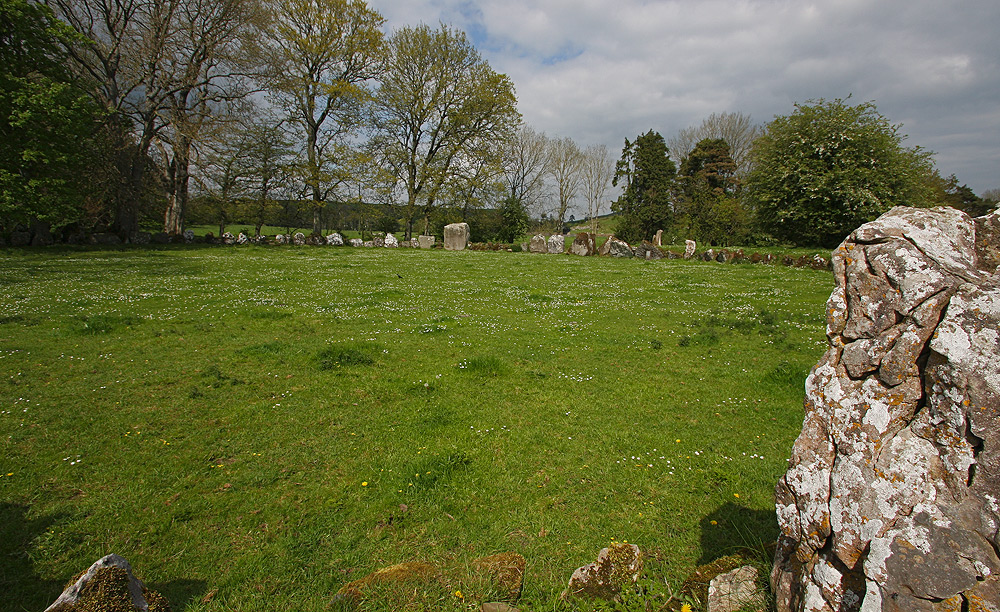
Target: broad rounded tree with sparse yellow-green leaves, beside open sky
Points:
(438, 101)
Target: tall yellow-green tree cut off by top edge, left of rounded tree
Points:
(320, 56)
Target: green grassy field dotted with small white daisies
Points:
(254, 427)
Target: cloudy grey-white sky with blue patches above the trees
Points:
(600, 71)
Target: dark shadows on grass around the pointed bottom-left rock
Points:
(22, 589)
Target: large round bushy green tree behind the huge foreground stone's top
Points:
(829, 167)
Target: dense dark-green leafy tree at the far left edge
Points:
(46, 124)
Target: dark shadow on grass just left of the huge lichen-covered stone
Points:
(733, 529)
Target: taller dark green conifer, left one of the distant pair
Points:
(648, 175)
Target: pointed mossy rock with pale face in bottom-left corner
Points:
(109, 585)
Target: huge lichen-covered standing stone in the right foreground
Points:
(892, 497)
